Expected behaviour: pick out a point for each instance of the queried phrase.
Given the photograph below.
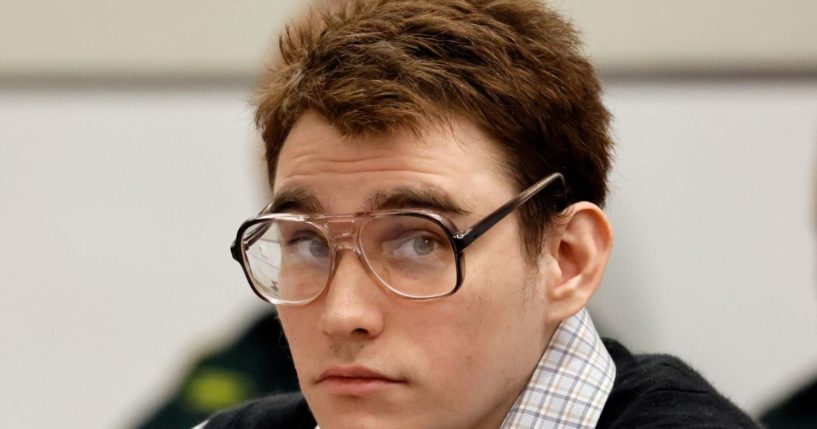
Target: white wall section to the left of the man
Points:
(118, 208)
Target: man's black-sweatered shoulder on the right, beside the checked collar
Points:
(661, 391)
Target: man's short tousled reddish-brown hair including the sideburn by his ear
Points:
(513, 67)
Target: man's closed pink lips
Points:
(355, 381)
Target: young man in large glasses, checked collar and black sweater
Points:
(437, 169)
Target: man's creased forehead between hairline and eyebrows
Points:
(456, 158)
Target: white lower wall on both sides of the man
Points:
(118, 208)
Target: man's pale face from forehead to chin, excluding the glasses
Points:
(367, 358)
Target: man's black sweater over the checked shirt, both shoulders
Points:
(650, 391)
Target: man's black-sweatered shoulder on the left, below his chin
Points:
(287, 411)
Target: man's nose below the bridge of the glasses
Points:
(353, 303)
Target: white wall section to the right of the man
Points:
(713, 205)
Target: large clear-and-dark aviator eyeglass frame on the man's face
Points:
(459, 239)
